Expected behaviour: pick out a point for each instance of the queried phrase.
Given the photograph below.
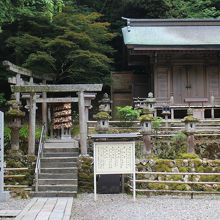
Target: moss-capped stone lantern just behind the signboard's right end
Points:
(146, 130)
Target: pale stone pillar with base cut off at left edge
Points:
(3, 194)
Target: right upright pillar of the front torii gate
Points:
(82, 123)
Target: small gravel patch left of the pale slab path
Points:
(14, 204)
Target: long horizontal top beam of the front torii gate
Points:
(58, 88)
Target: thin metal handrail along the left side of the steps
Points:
(39, 156)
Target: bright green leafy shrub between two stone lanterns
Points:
(127, 113)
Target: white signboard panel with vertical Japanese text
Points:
(114, 157)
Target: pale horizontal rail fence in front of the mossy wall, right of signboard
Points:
(191, 192)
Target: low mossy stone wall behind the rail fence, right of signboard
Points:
(179, 165)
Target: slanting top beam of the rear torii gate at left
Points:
(23, 71)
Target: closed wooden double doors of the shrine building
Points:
(188, 82)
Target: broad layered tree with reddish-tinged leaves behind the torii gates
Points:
(74, 46)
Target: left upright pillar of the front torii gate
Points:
(32, 124)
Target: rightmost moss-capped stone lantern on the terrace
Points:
(190, 127)
